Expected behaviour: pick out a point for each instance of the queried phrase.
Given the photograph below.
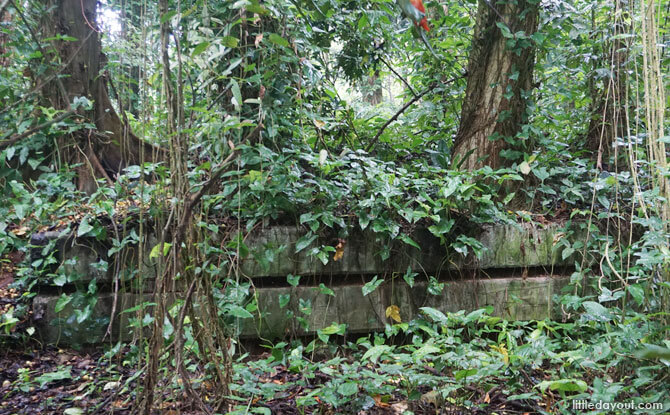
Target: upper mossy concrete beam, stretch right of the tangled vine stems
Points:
(504, 246)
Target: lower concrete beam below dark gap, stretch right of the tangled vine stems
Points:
(511, 298)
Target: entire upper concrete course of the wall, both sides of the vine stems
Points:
(272, 254)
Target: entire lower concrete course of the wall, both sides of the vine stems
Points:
(512, 298)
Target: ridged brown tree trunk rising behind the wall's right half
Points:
(500, 78)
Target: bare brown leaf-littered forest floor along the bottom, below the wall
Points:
(70, 382)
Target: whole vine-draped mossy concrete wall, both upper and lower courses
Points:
(519, 271)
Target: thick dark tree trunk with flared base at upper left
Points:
(103, 152)
